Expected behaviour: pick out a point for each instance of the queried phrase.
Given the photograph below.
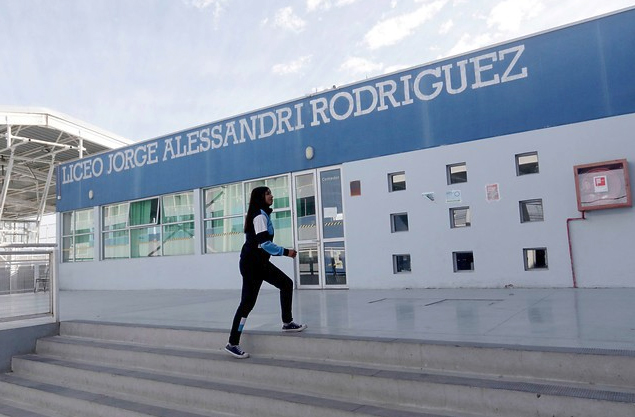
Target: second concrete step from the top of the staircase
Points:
(366, 383)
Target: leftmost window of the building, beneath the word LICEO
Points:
(77, 236)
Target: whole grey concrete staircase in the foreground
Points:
(120, 370)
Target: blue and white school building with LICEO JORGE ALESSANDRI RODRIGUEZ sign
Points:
(505, 166)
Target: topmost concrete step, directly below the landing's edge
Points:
(583, 365)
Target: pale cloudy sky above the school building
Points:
(147, 68)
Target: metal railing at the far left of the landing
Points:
(28, 282)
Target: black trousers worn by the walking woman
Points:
(254, 273)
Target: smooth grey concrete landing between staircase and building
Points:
(576, 318)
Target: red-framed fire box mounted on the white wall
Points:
(603, 185)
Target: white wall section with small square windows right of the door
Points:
(602, 245)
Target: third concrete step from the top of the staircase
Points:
(196, 393)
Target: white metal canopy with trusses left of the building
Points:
(32, 142)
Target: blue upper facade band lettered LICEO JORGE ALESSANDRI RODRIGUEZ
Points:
(513, 87)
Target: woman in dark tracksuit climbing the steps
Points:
(255, 268)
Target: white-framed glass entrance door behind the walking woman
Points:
(319, 222)
